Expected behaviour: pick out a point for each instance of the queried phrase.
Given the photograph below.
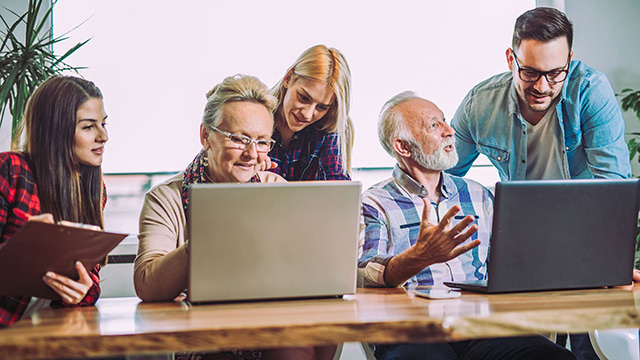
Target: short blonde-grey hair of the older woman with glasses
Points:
(239, 87)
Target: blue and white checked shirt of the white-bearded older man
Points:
(390, 223)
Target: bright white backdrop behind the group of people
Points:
(155, 61)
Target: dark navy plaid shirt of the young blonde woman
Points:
(312, 154)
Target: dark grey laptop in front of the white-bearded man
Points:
(565, 234)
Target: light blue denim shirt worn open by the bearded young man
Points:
(488, 122)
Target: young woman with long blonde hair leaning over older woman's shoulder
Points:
(313, 131)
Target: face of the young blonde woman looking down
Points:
(305, 102)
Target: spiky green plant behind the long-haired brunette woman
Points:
(25, 63)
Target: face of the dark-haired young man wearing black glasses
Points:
(535, 98)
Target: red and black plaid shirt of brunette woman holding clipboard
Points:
(18, 190)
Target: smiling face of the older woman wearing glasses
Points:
(226, 162)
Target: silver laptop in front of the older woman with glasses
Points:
(273, 241)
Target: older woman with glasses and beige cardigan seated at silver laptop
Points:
(236, 137)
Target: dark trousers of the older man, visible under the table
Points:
(511, 348)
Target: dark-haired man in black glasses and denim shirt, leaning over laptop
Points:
(549, 117)
